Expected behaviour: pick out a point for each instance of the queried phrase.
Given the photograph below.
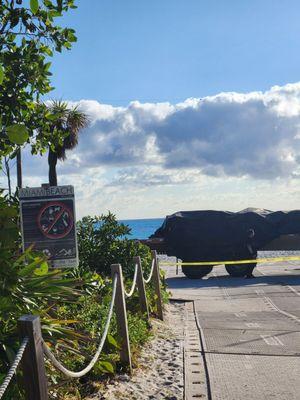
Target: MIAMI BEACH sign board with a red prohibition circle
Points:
(49, 224)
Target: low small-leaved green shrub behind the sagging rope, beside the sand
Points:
(91, 313)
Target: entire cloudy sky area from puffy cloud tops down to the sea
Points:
(216, 152)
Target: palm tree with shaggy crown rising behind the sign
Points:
(69, 121)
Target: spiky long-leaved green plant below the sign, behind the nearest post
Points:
(29, 288)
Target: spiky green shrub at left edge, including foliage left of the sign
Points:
(28, 287)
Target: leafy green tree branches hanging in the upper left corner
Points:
(29, 36)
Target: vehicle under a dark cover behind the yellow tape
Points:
(222, 236)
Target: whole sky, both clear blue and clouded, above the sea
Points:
(193, 105)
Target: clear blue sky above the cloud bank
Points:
(169, 50)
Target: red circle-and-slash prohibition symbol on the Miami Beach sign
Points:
(55, 220)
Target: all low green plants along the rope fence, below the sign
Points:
(73, 304)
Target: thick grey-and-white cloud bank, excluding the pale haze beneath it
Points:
(253, 134)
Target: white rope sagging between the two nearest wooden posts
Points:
(78, 374)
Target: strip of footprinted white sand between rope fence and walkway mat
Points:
(160, 371)
